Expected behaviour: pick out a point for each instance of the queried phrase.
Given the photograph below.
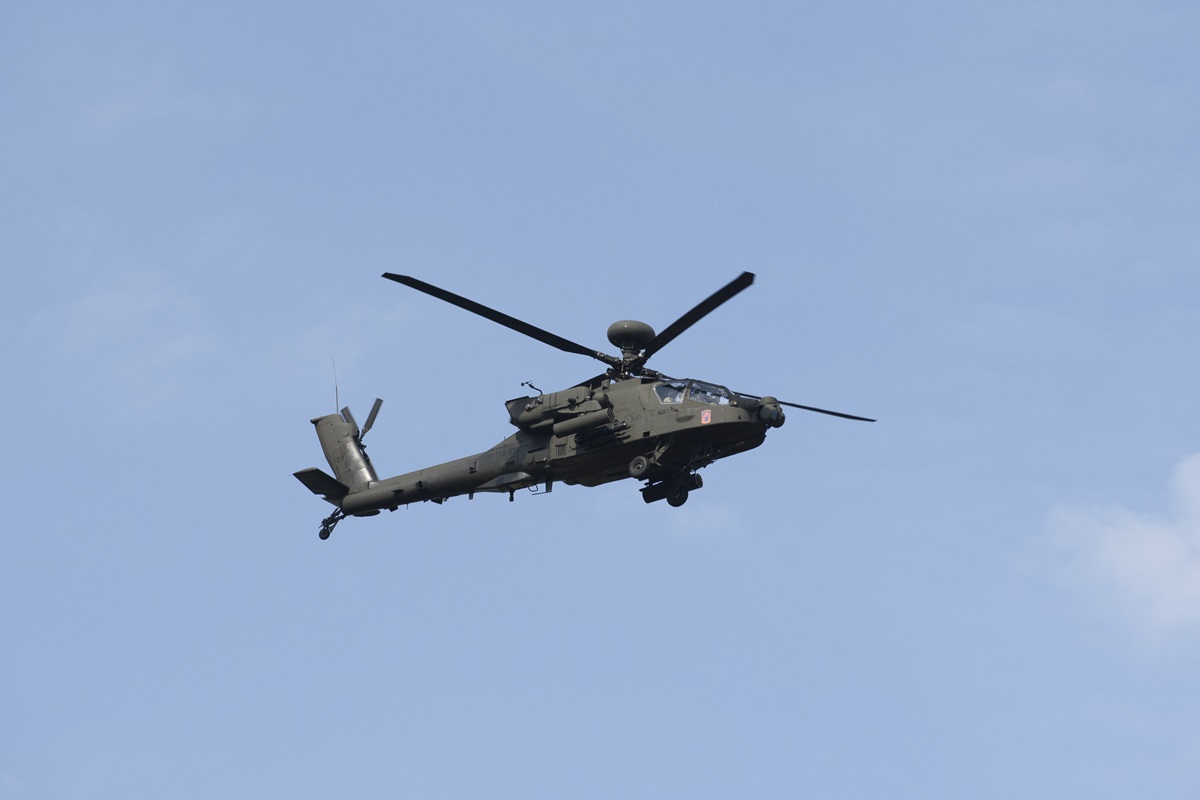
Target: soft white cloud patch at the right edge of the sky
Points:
(1149, 567)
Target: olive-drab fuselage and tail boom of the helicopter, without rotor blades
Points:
(658, 431)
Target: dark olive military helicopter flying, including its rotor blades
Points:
(628, 422)
